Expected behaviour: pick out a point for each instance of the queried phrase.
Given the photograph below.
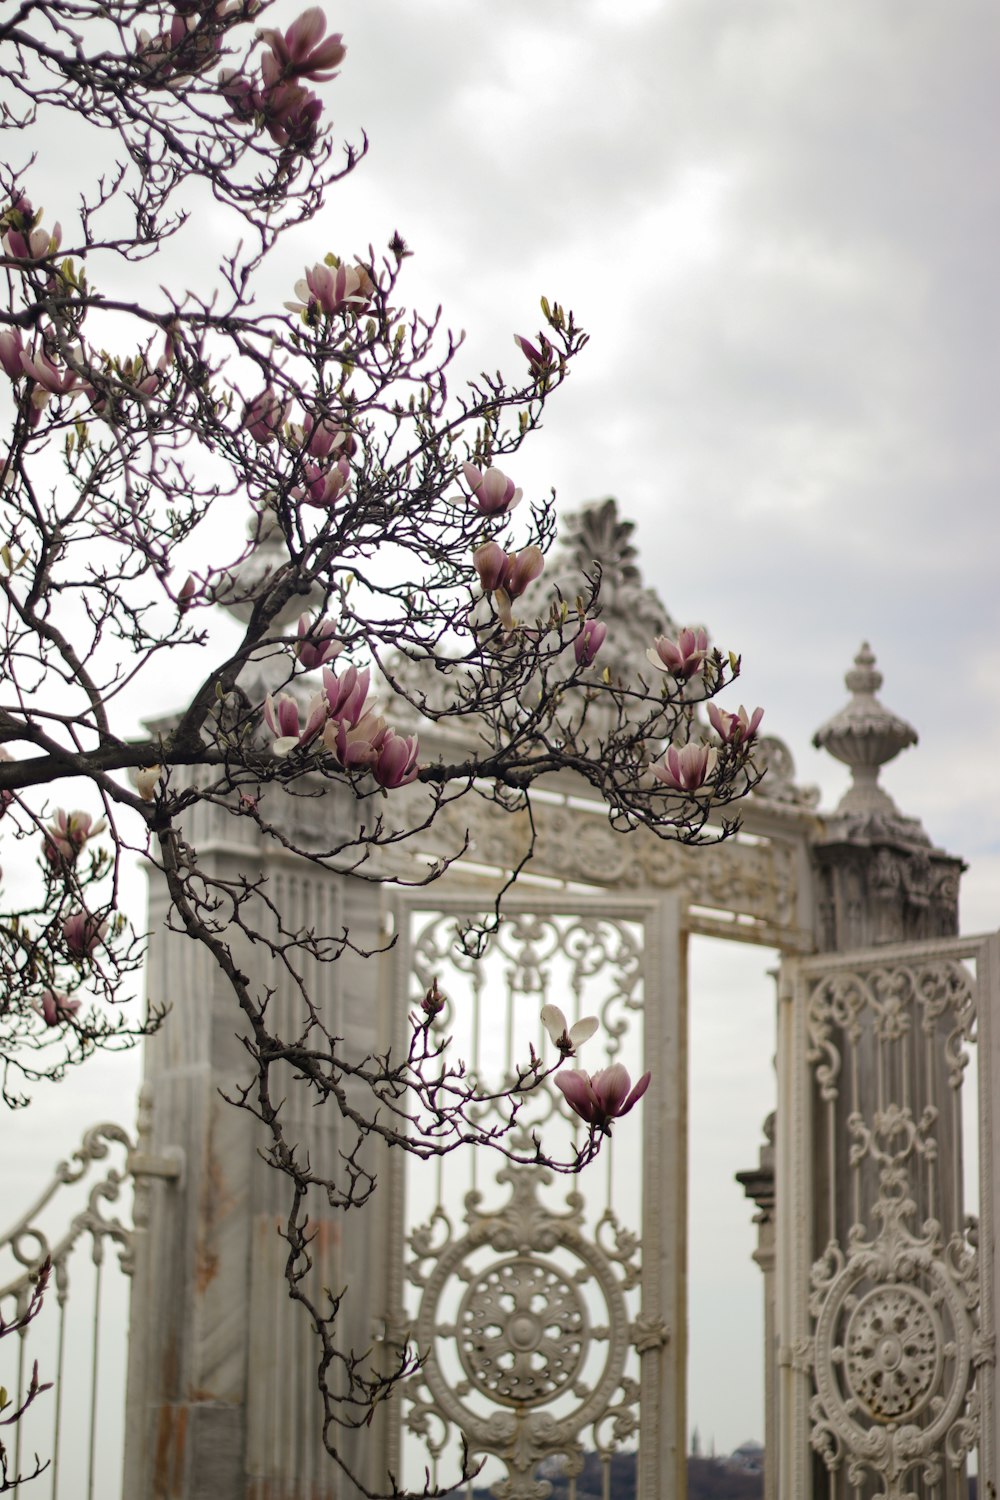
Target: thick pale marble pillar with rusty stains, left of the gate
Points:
(223, 1399)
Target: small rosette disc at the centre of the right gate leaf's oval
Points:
(894, 1354)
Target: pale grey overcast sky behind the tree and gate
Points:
(780, 224)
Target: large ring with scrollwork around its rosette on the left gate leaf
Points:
(534, 1352)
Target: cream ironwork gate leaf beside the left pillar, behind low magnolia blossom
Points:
(525, 1291)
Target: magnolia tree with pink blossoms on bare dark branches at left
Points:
(386, 530)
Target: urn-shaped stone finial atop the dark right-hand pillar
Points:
(866, 736)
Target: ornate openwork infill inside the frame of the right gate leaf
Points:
(896, 1297)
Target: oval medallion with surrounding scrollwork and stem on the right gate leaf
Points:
(896, 1337)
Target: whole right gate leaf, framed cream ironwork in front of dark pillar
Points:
(885, 1282)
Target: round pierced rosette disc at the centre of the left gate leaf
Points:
(522, 1331)
